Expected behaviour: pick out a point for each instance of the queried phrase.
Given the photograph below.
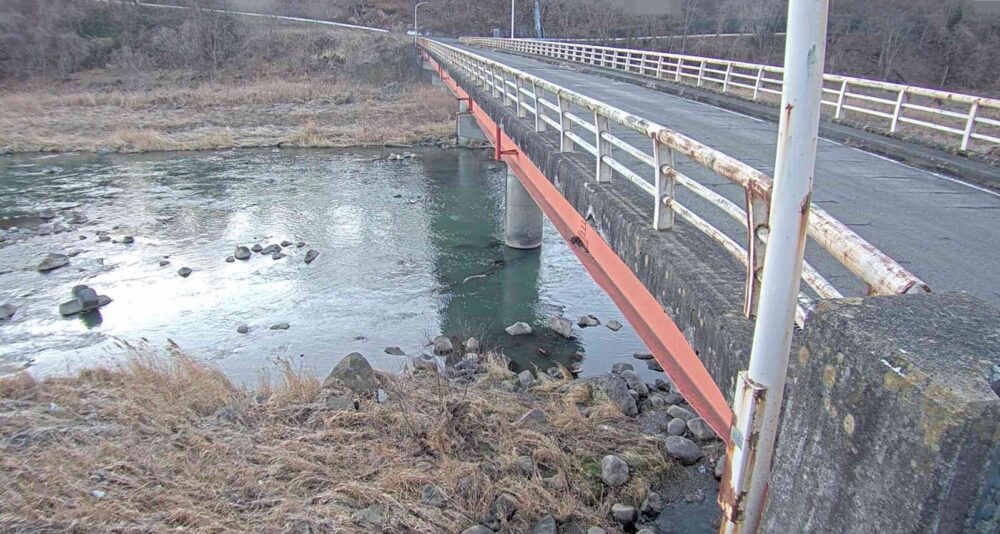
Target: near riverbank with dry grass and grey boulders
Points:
(455, 443)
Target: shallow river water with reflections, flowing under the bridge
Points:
(409, 249)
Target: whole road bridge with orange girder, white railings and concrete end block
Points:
(665, 200)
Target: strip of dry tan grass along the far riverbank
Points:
(265, 112)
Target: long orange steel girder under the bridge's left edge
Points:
(661, 335)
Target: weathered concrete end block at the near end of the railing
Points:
(891, 419)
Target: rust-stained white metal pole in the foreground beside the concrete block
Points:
(750, 470)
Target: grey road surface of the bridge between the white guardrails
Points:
(941, 228)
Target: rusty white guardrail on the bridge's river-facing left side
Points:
(529, 95)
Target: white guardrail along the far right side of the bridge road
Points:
(954, 120)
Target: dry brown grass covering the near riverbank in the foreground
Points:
(174, 445)
